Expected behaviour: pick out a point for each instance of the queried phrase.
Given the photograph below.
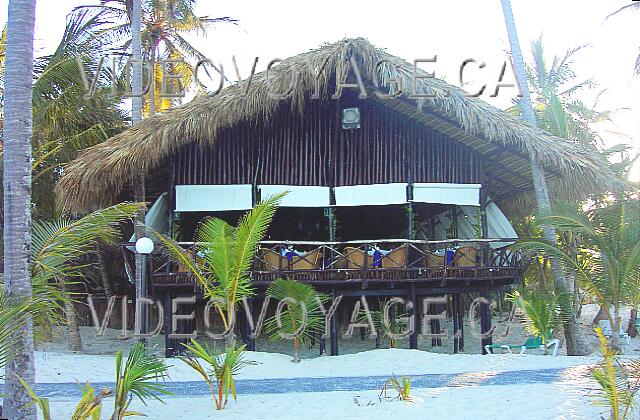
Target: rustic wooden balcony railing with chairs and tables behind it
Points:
(378, 261)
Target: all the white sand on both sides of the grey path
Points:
(566, 400)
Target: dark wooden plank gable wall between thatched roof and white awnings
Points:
(313, 149)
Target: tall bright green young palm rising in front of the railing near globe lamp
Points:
(226, 255)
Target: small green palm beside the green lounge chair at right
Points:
(543, 312)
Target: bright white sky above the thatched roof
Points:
(452, 31)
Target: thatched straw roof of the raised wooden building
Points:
(100, 173)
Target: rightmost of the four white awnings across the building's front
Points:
(441, 193)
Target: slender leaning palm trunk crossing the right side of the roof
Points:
(571, 328)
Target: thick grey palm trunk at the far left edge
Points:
(18, 130)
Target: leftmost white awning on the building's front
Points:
(213, 197)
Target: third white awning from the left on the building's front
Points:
(371, 195)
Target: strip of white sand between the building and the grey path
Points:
(60, 367)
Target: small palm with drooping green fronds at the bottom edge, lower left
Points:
(138, 376)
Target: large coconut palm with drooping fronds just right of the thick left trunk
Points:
(64, 120)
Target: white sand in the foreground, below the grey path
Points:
(487, 402)
